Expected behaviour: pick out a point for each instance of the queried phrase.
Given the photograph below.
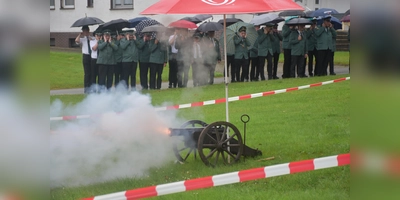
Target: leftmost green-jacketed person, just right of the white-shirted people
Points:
(106, 61)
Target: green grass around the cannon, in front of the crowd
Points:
(292, 126)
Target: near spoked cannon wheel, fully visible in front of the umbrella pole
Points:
(214, 142)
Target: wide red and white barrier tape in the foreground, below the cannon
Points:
(229, 178)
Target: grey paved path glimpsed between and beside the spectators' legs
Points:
(219, 80)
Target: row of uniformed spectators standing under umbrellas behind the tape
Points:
(112, 58)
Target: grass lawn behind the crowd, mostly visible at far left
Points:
(66, 70)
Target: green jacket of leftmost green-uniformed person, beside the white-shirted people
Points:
(106, 53)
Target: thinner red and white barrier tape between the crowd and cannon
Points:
(218, 101)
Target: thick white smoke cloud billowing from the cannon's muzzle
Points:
(127, 139)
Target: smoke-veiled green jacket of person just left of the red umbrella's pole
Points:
(212, 53)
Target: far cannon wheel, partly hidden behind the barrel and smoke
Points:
(182, 149)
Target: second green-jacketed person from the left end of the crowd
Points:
(130, 57)
